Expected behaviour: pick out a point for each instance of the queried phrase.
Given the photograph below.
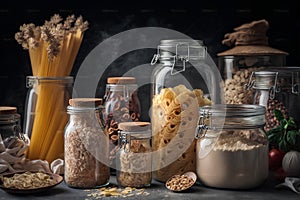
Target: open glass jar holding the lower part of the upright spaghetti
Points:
(45, 116)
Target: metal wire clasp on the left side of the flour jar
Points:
(202, 128)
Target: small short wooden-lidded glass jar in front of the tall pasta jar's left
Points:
(134, 156)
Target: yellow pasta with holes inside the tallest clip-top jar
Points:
(174, 121)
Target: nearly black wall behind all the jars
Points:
(206, 20)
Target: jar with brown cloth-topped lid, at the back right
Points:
(250, 51)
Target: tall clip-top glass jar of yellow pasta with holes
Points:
(184, 73)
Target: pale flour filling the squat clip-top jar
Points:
(238, 160)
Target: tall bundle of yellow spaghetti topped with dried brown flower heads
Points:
(53, 48)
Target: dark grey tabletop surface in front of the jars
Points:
(267, 191)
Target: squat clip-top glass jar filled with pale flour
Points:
(232, 146)
